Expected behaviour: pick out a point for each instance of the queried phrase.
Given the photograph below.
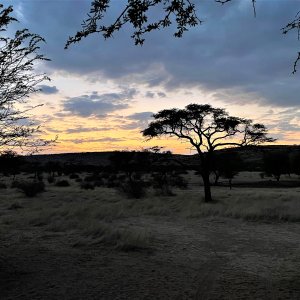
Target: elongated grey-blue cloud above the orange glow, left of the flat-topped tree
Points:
(96, 104)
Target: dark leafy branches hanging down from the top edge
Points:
(138, 14)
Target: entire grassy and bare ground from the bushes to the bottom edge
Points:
(73, 243)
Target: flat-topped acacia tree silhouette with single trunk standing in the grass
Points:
(206, 129)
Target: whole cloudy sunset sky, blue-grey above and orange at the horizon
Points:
(102, 93)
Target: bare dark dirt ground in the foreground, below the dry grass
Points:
(189, 259)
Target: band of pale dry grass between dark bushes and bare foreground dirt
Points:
(90, 213)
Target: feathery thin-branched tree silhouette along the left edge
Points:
(18, 56)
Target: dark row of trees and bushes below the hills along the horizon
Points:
(133, 172)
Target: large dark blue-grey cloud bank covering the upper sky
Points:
(230, 51)
